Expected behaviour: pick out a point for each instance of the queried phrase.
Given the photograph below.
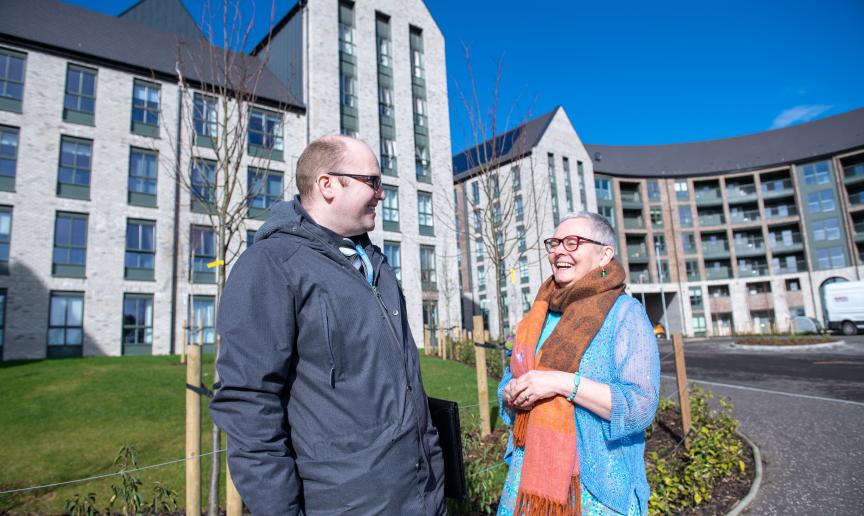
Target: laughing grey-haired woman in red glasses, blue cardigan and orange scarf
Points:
(582, 386)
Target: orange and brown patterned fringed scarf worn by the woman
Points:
(550, 471)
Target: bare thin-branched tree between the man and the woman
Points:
(507, 195)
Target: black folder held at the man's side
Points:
(445, 418)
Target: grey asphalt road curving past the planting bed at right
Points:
(804, 408)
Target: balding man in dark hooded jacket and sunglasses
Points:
(320, 392)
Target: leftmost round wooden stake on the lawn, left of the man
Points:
(193, 429)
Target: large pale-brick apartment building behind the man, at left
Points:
(102, 252)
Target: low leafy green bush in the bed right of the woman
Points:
(685, 478)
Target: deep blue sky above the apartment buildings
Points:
(647, 72)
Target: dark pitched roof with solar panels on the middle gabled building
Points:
(502, 149)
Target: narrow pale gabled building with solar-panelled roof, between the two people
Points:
(510, 194)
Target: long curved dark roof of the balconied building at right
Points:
(808, 141)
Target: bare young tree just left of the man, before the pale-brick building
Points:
(225, 143)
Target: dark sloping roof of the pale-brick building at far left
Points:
(65, 29)
